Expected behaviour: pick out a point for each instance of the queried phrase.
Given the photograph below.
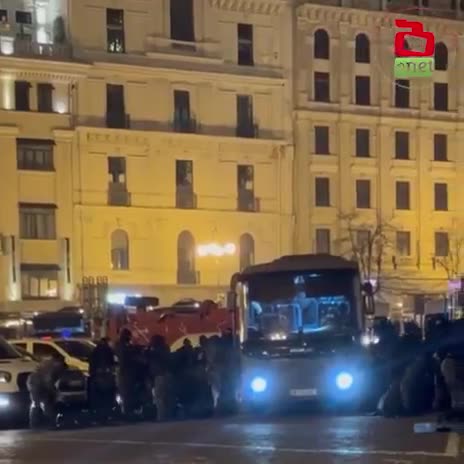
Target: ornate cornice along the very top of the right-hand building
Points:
(310, 14)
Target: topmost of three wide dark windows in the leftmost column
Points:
(34, 155)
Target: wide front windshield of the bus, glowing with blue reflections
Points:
(286, 305)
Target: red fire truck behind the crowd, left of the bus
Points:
(185, 319)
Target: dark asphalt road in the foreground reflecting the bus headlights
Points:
(290, 440)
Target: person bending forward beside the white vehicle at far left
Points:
(41, 386)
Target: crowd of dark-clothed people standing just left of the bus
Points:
(194, 382)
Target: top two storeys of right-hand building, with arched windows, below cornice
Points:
(345, 58)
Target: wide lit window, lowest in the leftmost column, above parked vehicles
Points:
(39, 283)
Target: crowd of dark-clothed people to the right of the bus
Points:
(425, 374)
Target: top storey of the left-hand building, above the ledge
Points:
(247, 37)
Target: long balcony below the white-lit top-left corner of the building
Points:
(24, 48)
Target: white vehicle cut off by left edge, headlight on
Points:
(15, 369)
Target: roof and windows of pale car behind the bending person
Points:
(75, 351)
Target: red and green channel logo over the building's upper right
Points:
(413, 63)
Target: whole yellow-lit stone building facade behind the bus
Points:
(133, 131)
